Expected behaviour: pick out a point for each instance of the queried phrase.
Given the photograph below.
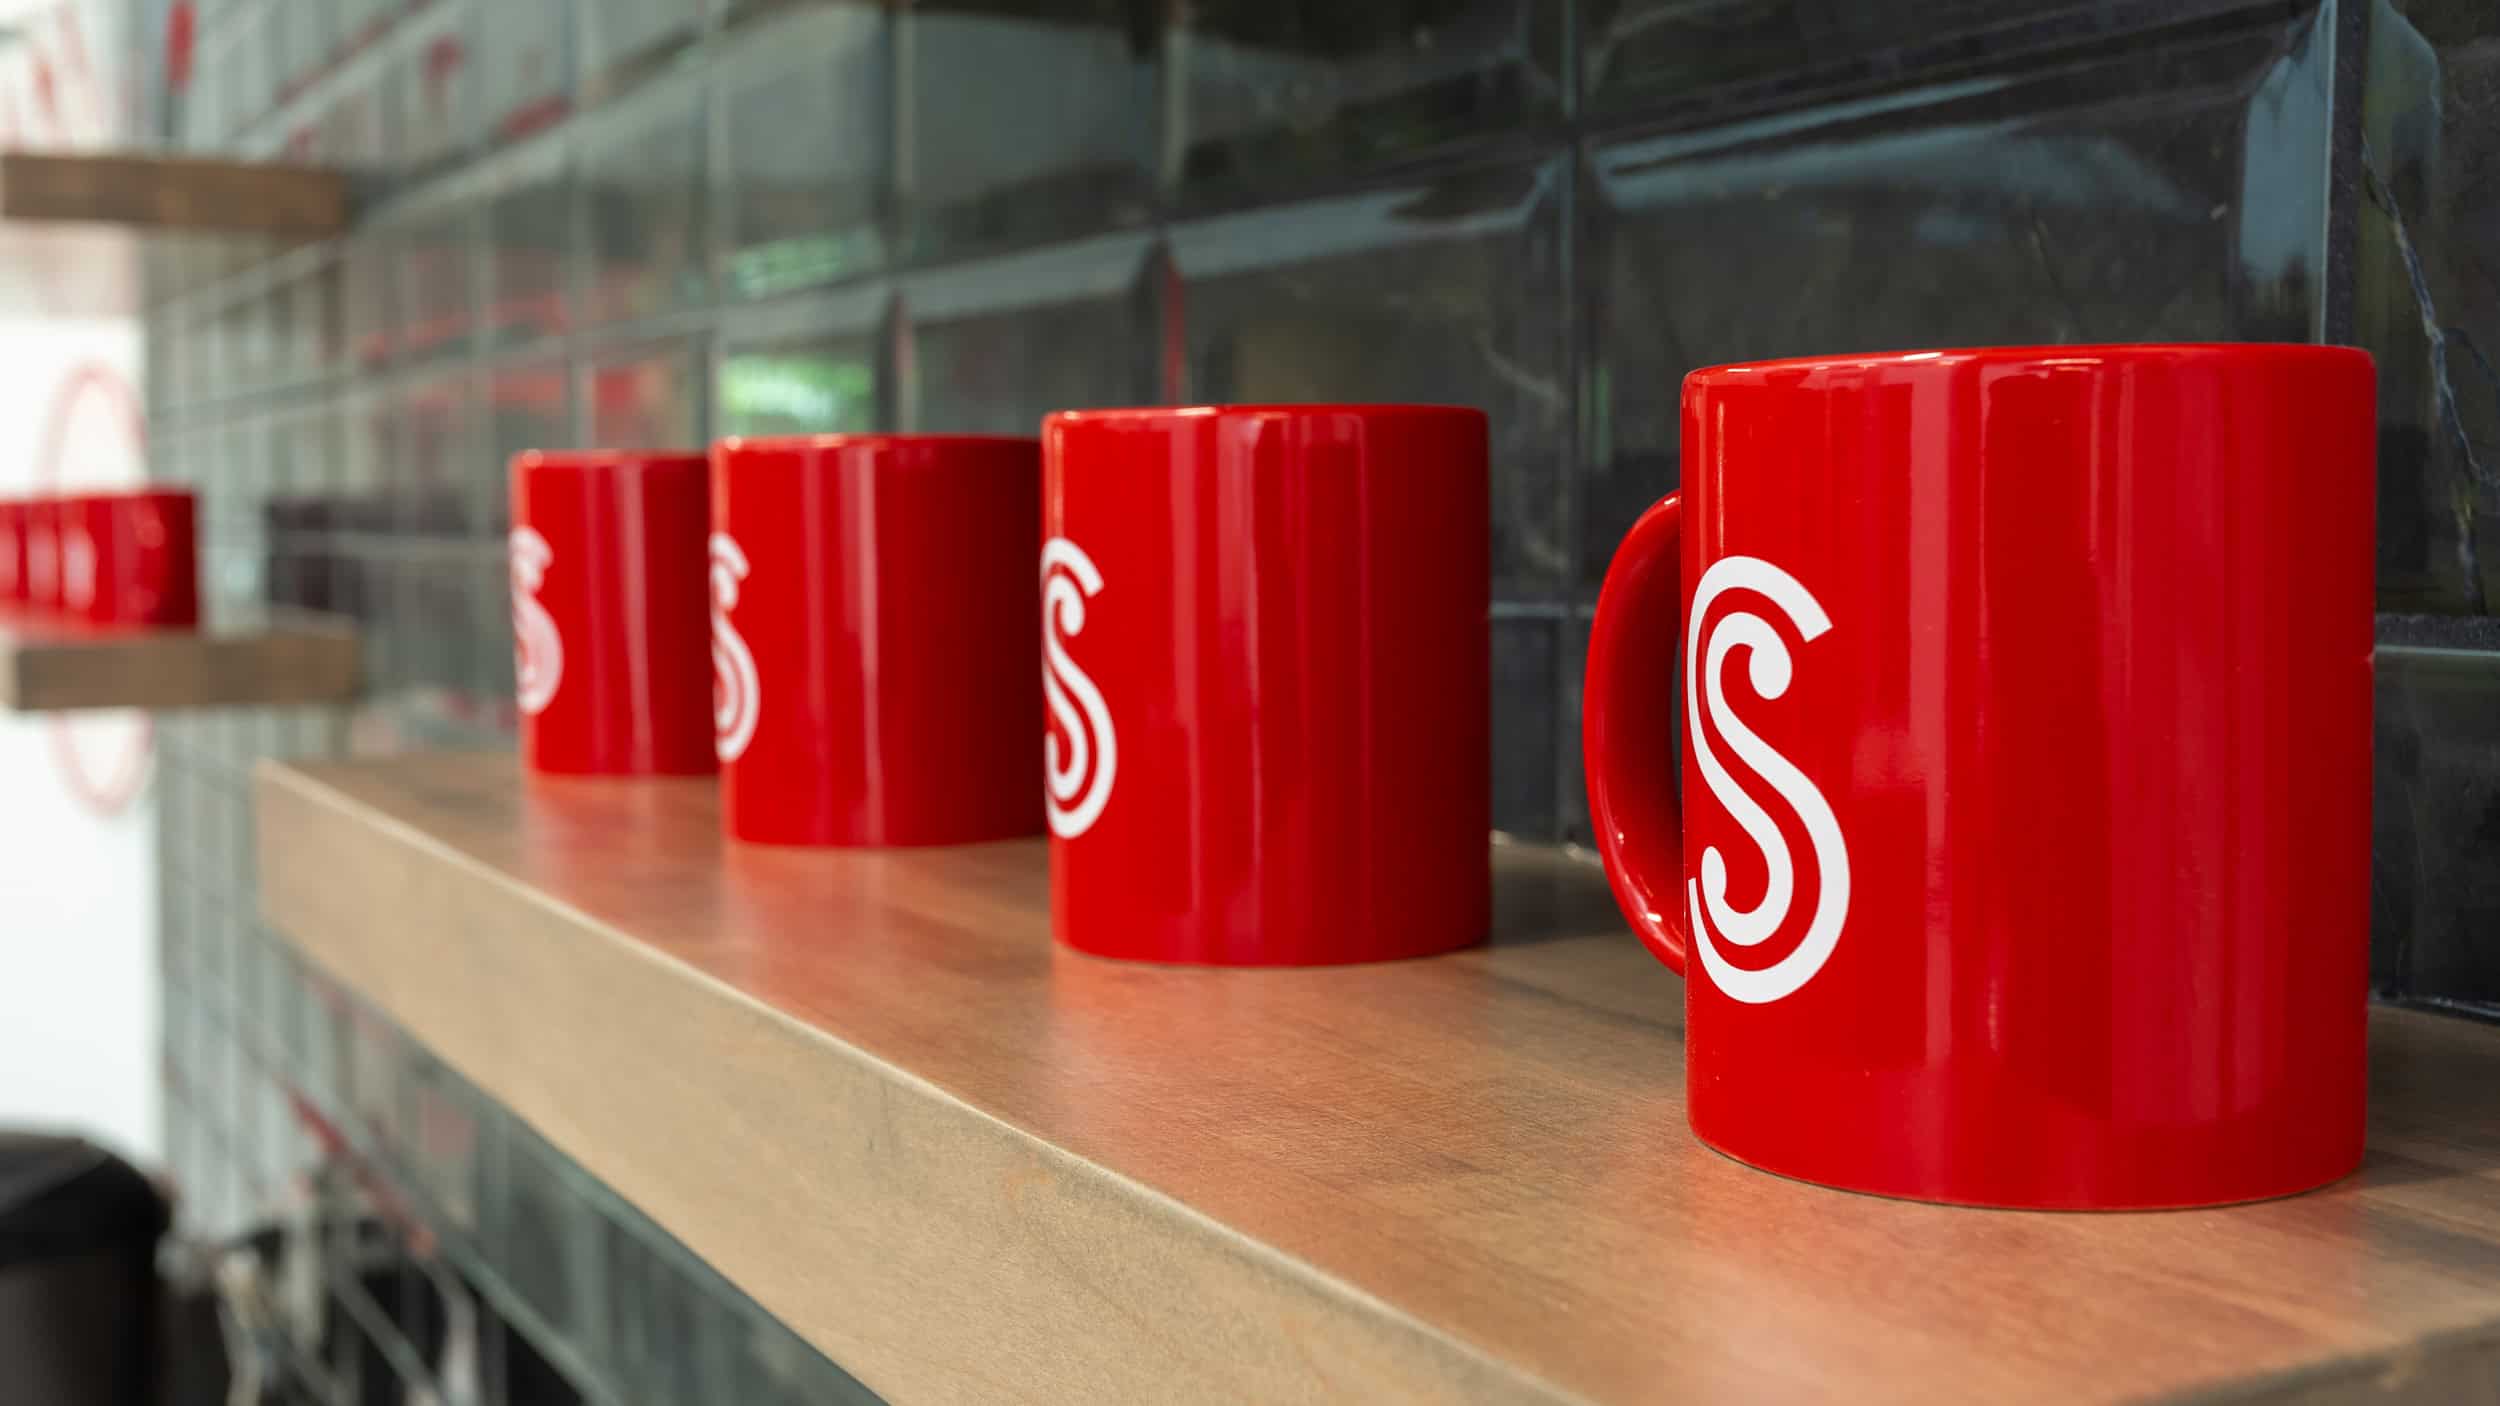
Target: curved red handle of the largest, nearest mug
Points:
(1629, 729)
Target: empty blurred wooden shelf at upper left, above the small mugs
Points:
(174, 194)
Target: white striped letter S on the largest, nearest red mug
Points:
(1771, 669)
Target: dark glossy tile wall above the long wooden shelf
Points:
(626, 221)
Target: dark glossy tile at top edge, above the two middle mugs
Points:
(1024, 124)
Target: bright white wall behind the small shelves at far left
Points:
(79, 987)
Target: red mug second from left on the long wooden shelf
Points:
(874, 657)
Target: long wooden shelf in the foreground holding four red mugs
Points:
(974, 1167)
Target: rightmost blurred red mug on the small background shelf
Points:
(131, 557)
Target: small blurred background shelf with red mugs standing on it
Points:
(284, 659)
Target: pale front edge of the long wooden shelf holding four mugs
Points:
(929, 1250)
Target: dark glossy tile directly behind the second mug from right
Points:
(1446, 294)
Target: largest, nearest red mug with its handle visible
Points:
(2024, 844)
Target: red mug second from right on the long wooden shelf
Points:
(1269, 682)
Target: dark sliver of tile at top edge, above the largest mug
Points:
(1724, 56)
